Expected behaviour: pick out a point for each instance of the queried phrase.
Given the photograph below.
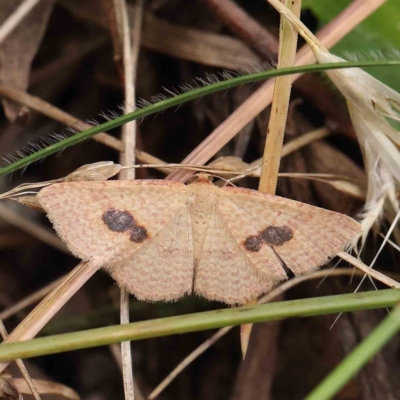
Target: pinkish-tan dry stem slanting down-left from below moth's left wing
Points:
(43, 312)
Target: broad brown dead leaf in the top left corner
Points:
(19, 48)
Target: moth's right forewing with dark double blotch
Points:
(305, 237)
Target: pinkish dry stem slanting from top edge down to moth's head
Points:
(261, 98)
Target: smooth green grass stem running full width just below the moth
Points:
(199, 321)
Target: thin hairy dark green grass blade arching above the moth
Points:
(180, 99)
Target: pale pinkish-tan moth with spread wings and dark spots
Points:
(163, 239)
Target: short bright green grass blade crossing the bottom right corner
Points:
(358, 357)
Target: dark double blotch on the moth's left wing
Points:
(122, 221)
